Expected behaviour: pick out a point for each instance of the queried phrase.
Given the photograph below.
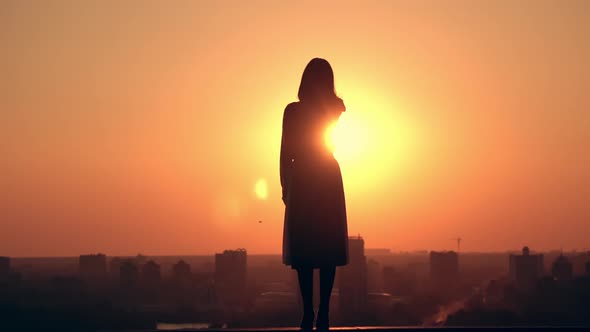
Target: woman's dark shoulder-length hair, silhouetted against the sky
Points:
(317, 85)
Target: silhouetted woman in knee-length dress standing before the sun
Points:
(315, 231)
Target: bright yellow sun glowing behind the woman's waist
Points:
(373, 140)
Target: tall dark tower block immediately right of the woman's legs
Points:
(352, 285)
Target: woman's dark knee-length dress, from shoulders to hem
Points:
(315, 231)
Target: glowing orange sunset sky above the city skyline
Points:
(145, 126)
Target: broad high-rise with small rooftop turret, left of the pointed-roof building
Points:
(525, 269)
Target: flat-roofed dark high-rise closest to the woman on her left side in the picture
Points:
(231, 277)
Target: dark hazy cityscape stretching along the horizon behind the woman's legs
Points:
(233, 289)
